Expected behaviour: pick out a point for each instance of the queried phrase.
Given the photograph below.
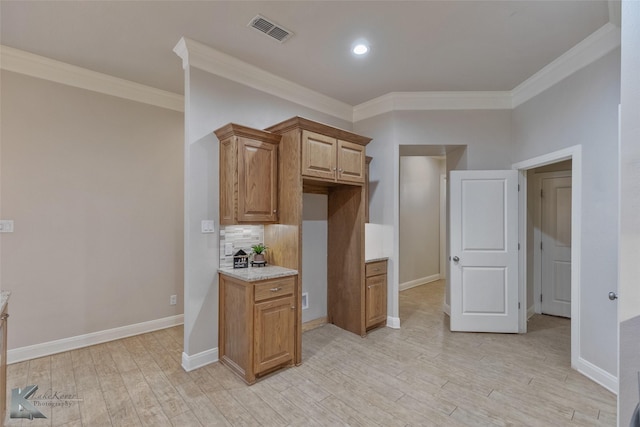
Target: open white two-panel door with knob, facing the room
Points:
(484, 251)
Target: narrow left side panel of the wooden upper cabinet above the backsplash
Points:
(228, 171)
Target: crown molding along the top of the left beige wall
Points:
(29, 64)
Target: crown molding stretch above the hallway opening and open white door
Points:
(418, 101)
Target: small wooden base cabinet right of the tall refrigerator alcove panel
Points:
(376, 294)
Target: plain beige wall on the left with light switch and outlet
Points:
(94, 184)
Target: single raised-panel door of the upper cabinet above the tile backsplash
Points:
(257, 181)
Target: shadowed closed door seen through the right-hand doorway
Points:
(555, 228)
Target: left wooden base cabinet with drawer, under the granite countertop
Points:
(258, 330)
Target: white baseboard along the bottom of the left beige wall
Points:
(58, 346)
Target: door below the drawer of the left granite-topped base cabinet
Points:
(274, 333)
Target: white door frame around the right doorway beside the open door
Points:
(575, 154)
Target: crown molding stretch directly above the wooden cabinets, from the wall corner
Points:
(198, 55)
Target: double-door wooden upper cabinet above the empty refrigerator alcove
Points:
(326, 153)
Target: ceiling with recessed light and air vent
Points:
(415, 46)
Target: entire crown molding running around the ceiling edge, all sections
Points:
(198, 55)
